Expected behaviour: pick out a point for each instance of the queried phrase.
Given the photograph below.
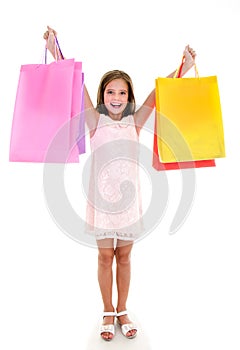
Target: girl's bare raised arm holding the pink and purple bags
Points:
(91, 115)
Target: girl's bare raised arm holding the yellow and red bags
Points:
(143, 113)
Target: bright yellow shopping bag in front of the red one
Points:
(189, 119)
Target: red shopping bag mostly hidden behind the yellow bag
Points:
(160, 166)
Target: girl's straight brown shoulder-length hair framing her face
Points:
(106, 79)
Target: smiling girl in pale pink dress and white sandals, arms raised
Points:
(114, 211)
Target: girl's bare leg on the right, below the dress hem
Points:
(123, 261)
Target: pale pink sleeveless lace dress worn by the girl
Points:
(114, 207)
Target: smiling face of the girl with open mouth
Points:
(116, 98)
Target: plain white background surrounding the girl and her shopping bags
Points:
(185, 287)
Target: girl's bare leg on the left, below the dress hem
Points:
(105, 278)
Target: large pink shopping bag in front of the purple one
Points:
(44, 106)
